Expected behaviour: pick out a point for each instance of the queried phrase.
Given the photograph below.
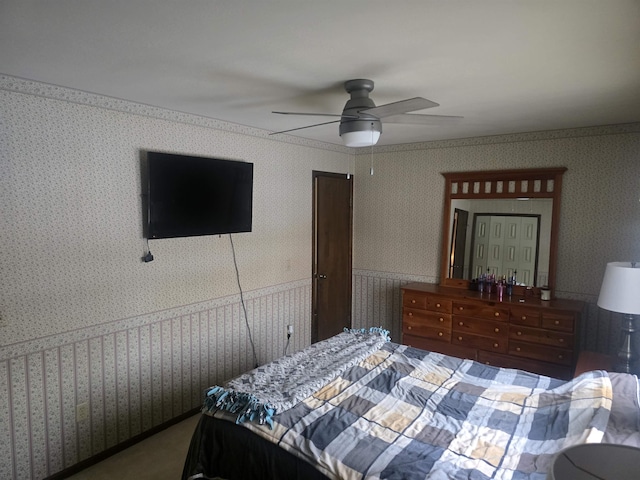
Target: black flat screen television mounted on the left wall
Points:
(191, 196)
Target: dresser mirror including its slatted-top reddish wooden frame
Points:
(499, 222)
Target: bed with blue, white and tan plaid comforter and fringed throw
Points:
(360, 406)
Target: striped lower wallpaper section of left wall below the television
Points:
(68, 397)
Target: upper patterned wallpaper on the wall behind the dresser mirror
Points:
(600, 213)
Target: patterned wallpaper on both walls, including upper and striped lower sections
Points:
(84, 320)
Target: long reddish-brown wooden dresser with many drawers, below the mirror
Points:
(518, 332)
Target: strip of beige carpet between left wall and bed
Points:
(158, 457)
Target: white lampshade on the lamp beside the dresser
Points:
(620, 291)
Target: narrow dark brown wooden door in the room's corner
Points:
(332, 246)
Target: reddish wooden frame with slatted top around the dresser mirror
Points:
(506, 184)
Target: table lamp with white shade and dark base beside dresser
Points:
(620, 292)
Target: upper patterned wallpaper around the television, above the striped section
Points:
(72, 222)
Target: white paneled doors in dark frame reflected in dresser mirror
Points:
(504, 244)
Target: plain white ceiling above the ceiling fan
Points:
(507, 66)
